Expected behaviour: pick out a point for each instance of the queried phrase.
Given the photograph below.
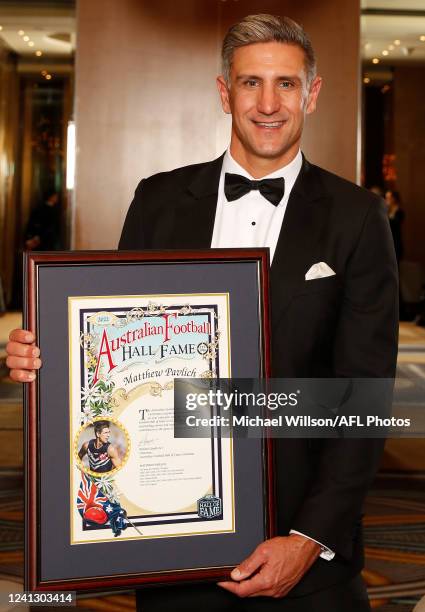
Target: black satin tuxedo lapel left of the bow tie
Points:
(194, 220)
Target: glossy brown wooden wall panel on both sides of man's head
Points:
(146, 99)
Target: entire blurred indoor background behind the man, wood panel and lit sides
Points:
(145, 101)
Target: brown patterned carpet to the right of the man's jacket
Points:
(395, 507)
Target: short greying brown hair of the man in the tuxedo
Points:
(267, 28)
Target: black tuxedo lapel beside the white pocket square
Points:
(297, 248)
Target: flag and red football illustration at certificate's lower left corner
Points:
(97, 509)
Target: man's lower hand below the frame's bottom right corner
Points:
(274, 567)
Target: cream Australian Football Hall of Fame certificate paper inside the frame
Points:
(129, 477)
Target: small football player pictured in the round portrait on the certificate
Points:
(102, 455)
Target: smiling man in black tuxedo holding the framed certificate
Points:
(341, 323)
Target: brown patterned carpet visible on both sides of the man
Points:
(394, 511)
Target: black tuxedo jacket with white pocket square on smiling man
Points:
(340, 326)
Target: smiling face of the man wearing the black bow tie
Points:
(268, 98)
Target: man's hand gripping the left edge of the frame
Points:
(22, 356)
